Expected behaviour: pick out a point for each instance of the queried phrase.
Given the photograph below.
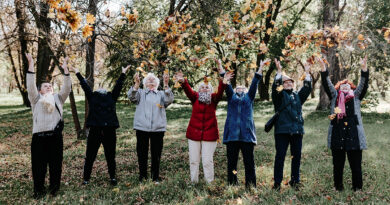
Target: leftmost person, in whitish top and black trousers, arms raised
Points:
(47, 143)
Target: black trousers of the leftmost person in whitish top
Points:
(46, 149)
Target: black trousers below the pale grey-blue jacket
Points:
(156, 145)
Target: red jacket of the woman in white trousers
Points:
(203, 124)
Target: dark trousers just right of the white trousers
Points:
(233, 149)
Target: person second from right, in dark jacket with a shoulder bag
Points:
(289, 125)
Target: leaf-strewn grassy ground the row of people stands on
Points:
(316, 169)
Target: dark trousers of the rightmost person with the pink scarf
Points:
(355, 162)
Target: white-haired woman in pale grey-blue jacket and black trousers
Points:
(150, 120)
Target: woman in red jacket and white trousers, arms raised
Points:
(202, 131)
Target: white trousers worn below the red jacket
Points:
(206, 150)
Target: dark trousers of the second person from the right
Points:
(281, 143)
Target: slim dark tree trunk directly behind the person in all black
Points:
(90, 59)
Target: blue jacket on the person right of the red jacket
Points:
(239, 124)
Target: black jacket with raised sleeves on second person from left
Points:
(102, 107)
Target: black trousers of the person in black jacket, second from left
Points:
(97, 136)
